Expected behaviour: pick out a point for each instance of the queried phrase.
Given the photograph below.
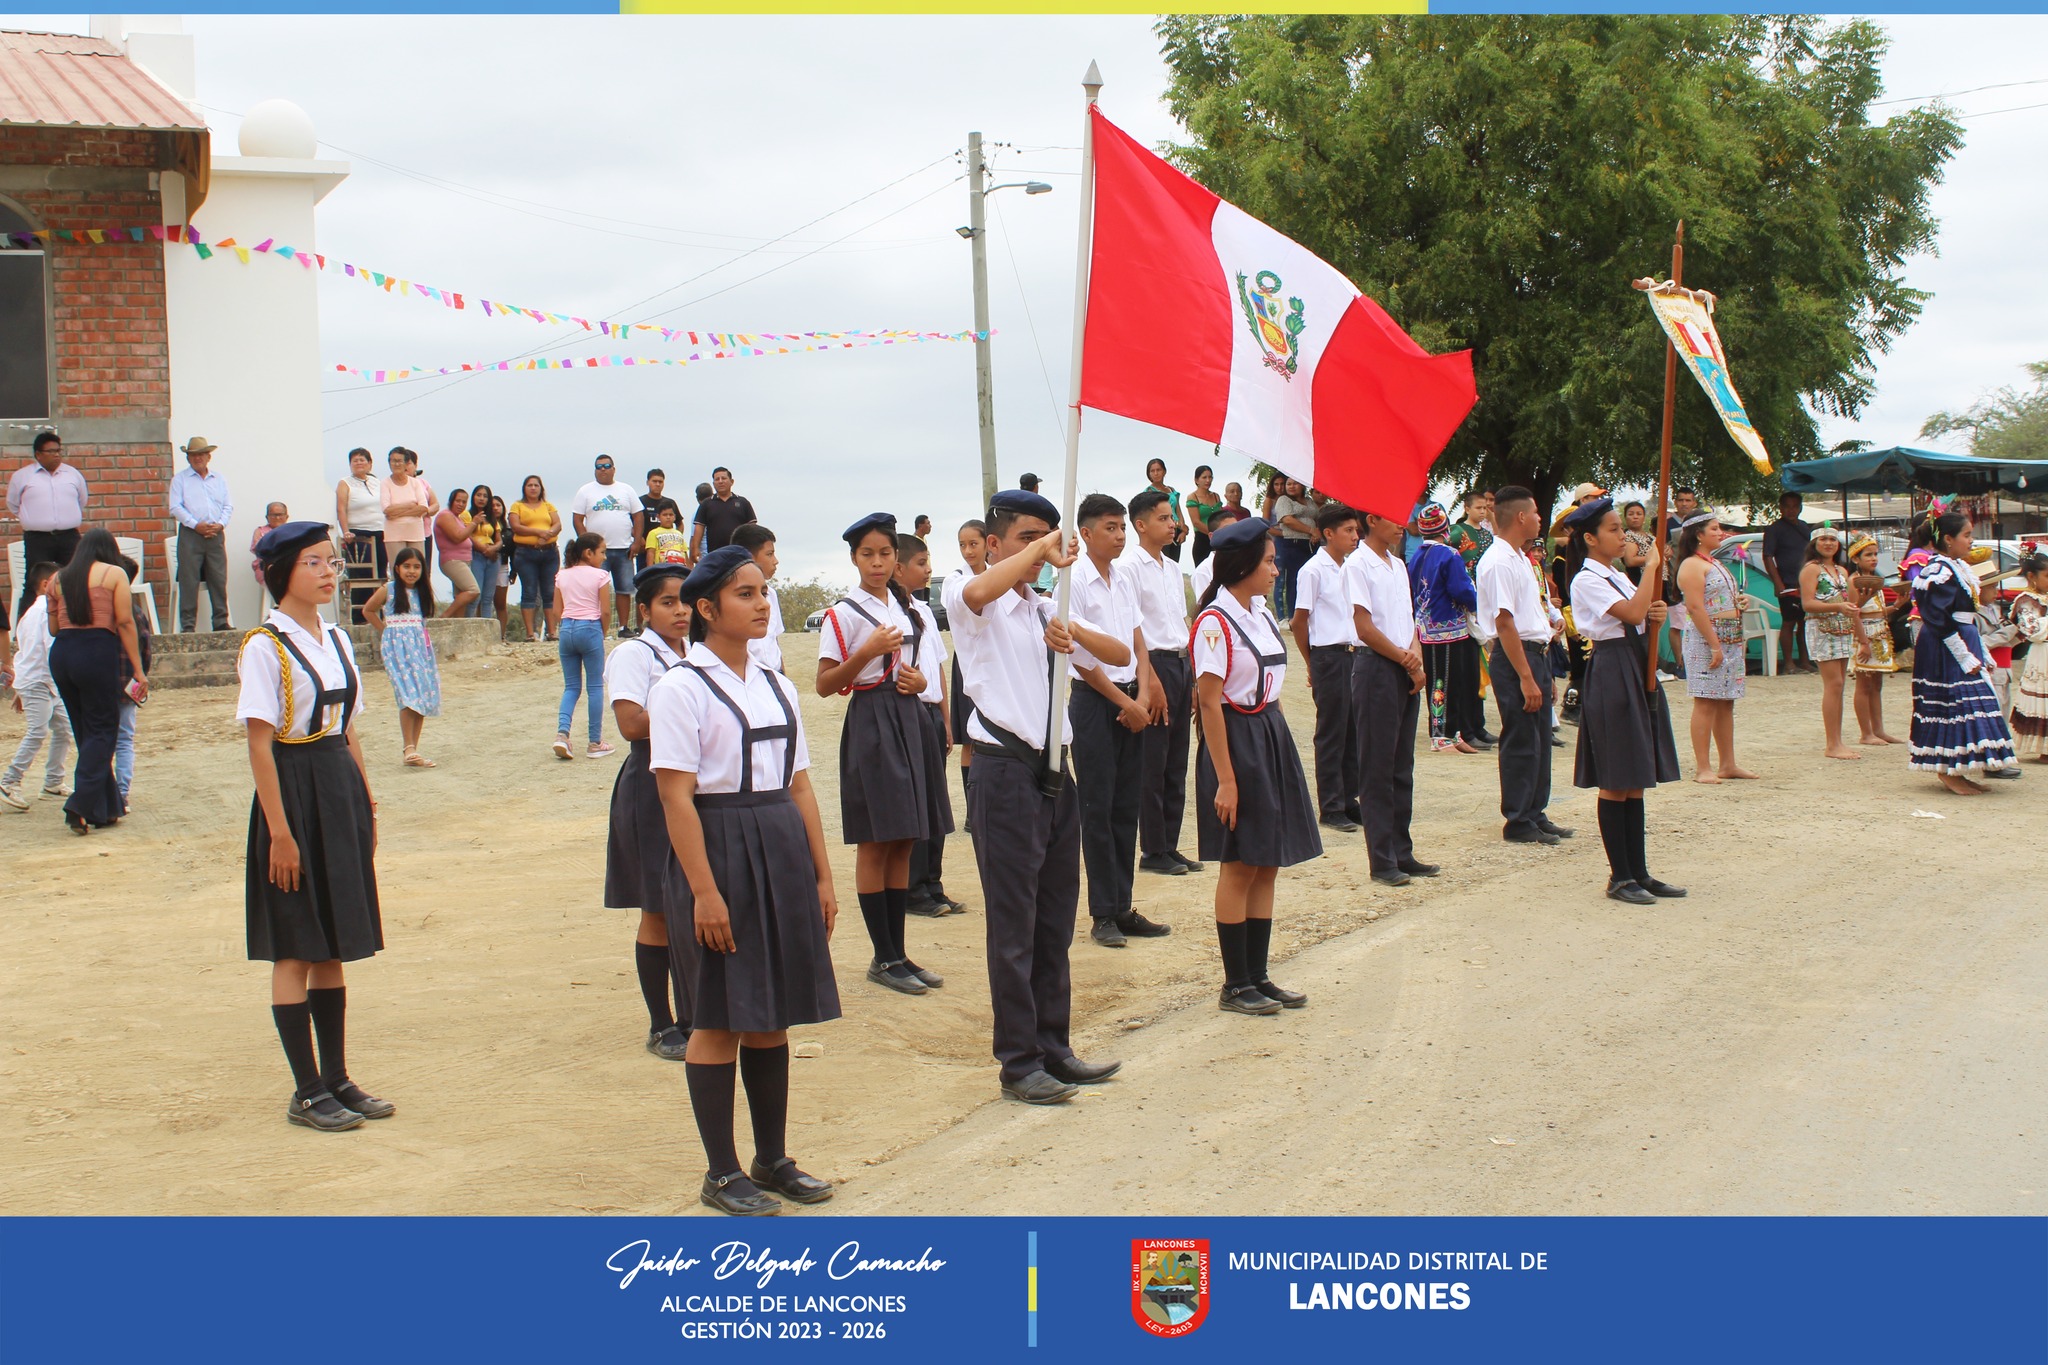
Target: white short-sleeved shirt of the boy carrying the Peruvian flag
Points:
(1005, 662)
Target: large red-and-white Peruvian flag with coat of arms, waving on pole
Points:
(1207, 322)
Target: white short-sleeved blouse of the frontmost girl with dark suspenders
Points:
(693, 732)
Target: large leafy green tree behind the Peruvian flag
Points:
(1498, 183)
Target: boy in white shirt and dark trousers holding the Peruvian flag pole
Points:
(1021, 803)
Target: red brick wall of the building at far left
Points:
(110, 333)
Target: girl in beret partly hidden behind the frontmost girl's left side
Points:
(636, 856)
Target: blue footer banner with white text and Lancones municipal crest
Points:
(1023, 1290)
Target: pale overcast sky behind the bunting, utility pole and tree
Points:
(648, 150)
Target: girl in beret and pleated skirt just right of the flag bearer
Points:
(1252, 801)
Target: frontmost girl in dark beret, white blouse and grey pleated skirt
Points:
(751, 883)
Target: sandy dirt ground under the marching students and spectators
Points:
(1844, 1018)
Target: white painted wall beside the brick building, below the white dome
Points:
(245, 351)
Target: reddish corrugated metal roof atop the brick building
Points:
(71, 81)
